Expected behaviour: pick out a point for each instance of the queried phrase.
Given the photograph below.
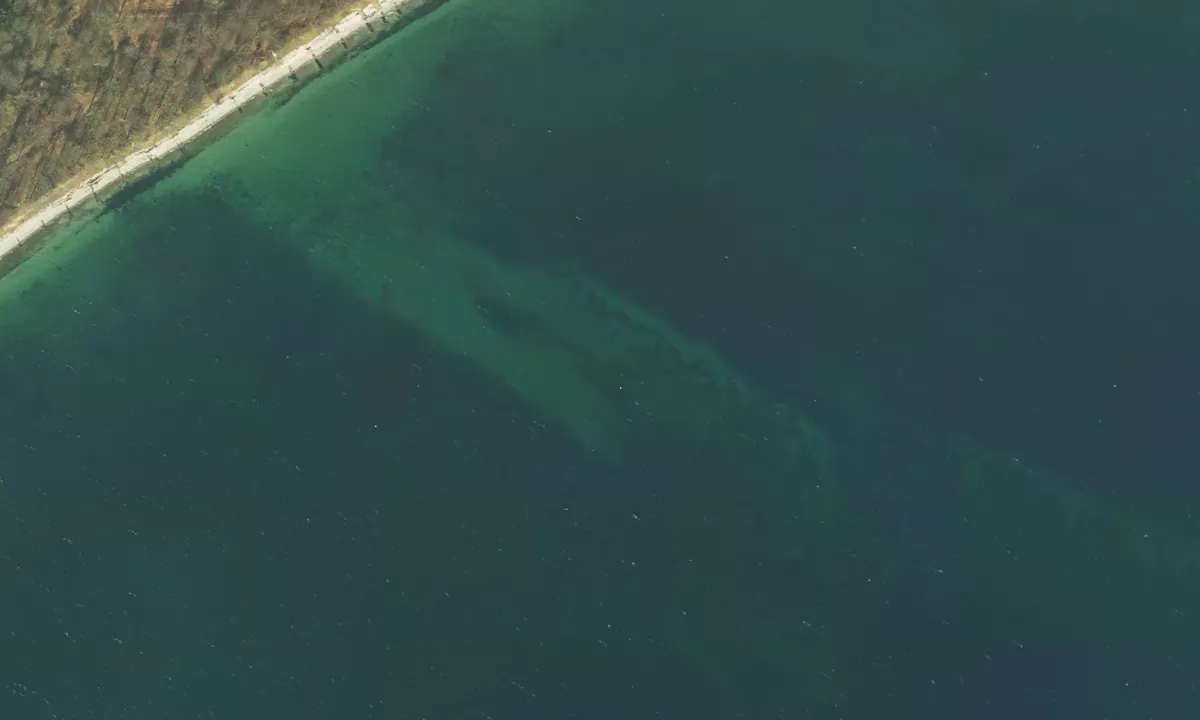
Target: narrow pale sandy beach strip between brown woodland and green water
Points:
(352, 29)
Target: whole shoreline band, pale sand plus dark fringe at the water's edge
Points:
(365, 25)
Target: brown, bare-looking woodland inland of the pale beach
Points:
(83, 81)
